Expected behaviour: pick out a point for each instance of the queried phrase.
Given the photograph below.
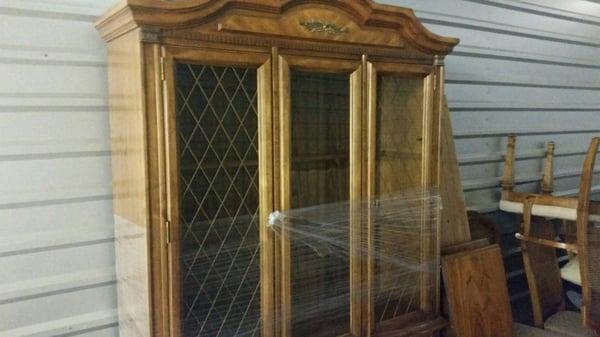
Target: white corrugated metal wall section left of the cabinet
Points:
(56, 234)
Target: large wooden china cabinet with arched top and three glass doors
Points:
(223, 111)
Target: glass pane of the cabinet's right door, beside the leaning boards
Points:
(398, 169)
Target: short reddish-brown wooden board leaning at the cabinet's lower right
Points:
(477, 293)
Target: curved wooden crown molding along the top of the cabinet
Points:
(187, 14)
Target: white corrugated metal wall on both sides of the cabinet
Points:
(524, 66)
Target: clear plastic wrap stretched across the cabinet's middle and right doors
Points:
(390, 245)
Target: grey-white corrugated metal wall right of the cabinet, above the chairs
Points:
(529, 67)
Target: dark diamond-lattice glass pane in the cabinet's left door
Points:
(218, 160)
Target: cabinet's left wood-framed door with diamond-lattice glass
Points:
(214, 165)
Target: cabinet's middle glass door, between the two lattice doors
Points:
(317, 115)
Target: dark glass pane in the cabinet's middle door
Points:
(320, 174)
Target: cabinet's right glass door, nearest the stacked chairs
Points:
(401, 150)
